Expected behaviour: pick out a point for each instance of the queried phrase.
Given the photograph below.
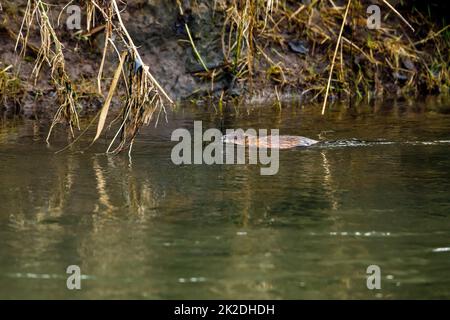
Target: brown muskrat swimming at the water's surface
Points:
(284, 141)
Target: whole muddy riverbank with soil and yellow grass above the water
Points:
(286, 51)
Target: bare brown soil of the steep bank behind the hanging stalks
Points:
(157, 29)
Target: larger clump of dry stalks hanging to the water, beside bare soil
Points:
(144, 95)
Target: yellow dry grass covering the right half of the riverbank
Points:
(363, 61)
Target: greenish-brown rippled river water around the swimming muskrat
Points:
(146, 228)
